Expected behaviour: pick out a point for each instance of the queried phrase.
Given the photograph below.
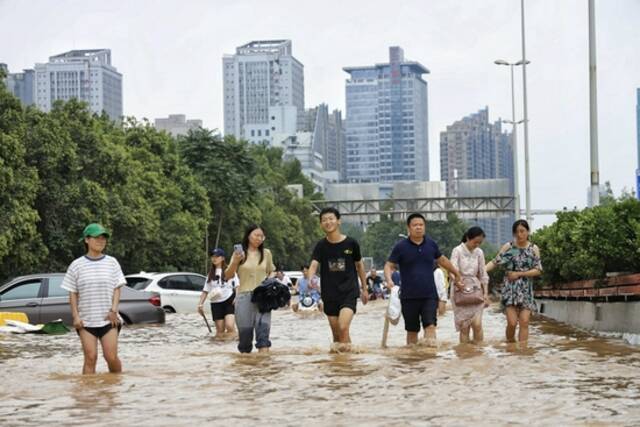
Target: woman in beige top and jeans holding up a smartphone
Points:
(253, 263)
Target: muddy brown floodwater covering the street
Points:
(175, 374)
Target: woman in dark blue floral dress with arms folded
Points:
(521, 259)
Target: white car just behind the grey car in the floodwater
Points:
(179, 291)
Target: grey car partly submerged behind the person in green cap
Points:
(42, 299)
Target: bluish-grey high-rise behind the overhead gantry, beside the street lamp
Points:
(474, 155)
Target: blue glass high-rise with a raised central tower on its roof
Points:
(387, 121)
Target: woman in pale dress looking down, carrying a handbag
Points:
(470, 299)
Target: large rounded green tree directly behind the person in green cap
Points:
(130, 178)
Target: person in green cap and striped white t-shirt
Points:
(94, 282)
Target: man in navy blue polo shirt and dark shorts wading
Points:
(416, 255)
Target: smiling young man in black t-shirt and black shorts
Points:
(340, 262)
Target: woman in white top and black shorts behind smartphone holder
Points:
(221, 294)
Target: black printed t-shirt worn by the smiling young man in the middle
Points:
(338, 274)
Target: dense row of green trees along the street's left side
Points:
(159, 196)
